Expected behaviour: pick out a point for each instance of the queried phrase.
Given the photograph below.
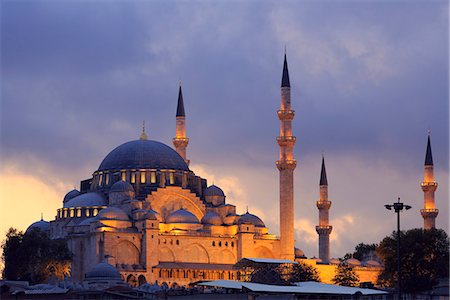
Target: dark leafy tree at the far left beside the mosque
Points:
(34, 256)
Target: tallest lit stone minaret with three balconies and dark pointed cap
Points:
(286, 165)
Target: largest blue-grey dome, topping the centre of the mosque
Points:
(143, 154)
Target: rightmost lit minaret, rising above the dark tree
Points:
(429, 186)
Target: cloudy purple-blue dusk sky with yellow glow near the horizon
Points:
(368, 78)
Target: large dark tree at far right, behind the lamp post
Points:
(424, 259)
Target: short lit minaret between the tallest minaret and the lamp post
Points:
(324, 228)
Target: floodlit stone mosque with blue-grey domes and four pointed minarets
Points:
(147, 214)
